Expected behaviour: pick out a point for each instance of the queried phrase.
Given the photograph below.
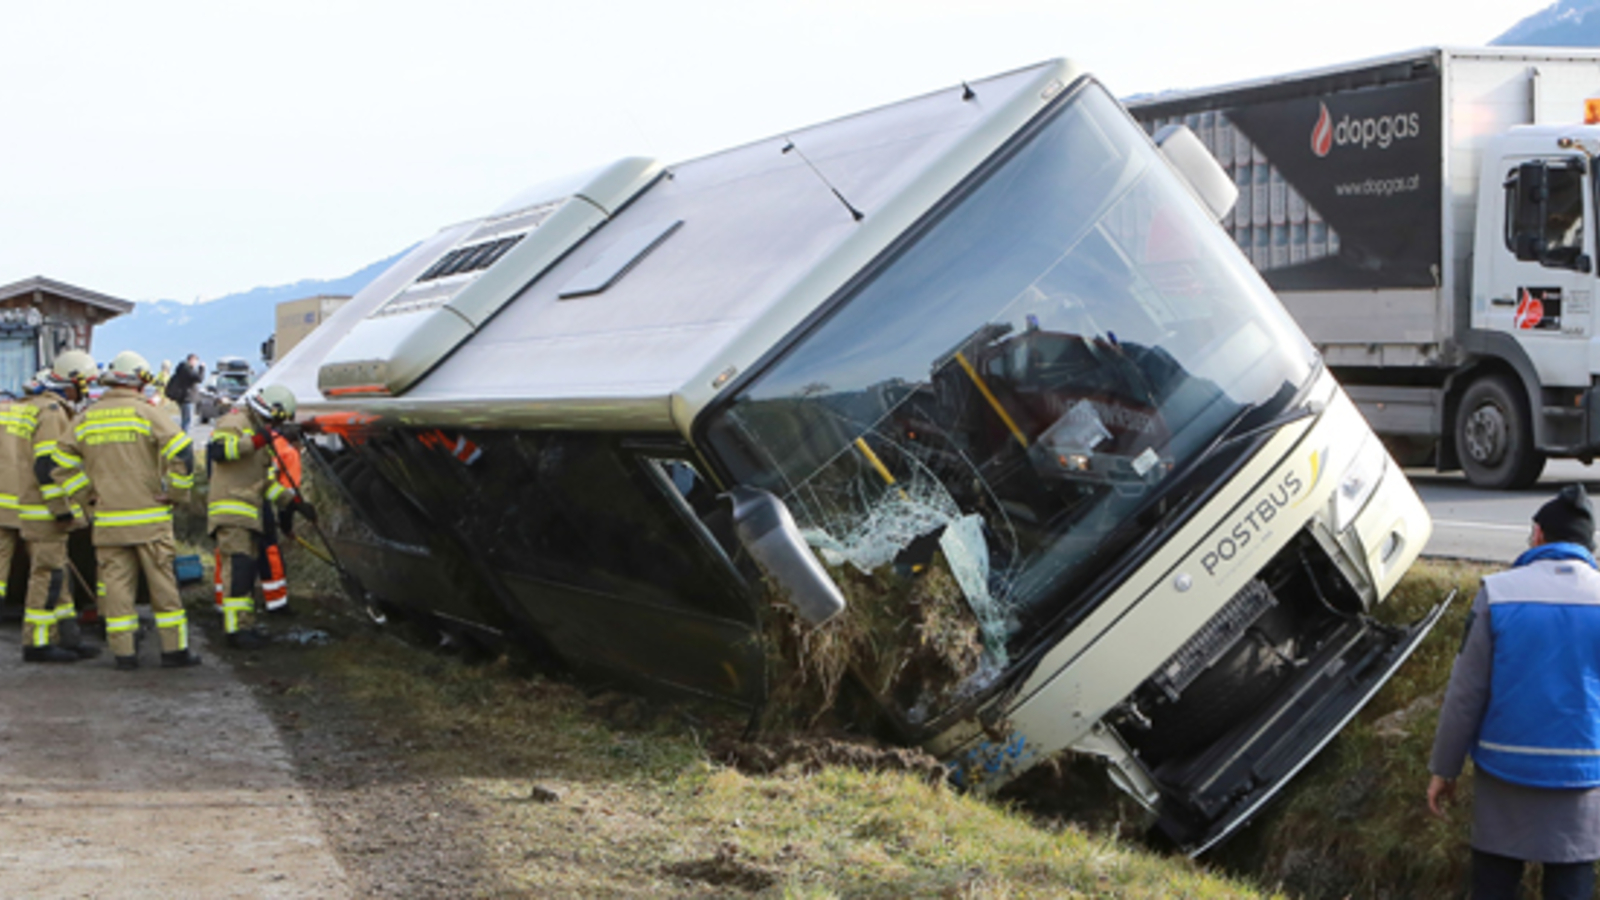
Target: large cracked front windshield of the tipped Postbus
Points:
(1034, 369)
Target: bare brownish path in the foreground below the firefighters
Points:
(151, 784)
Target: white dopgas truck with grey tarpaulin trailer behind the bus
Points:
(1430, 220)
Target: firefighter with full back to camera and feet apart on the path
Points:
(138, 464)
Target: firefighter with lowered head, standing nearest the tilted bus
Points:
(244, 473)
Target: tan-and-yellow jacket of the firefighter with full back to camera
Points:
(137, 462)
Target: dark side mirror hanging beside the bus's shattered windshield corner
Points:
(769, 532)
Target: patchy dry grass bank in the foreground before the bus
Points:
(612, 797)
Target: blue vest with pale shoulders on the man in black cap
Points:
(1543, 720)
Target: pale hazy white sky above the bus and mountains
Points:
(170, 150)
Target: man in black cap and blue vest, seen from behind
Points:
(1524, 701)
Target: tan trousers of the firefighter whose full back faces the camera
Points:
(121, 569)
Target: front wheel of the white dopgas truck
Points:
(1495, 436)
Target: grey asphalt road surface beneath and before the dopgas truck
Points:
(1490, 526)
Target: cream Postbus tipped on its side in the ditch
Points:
(978, 368)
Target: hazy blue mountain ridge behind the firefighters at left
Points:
(228, 326)
